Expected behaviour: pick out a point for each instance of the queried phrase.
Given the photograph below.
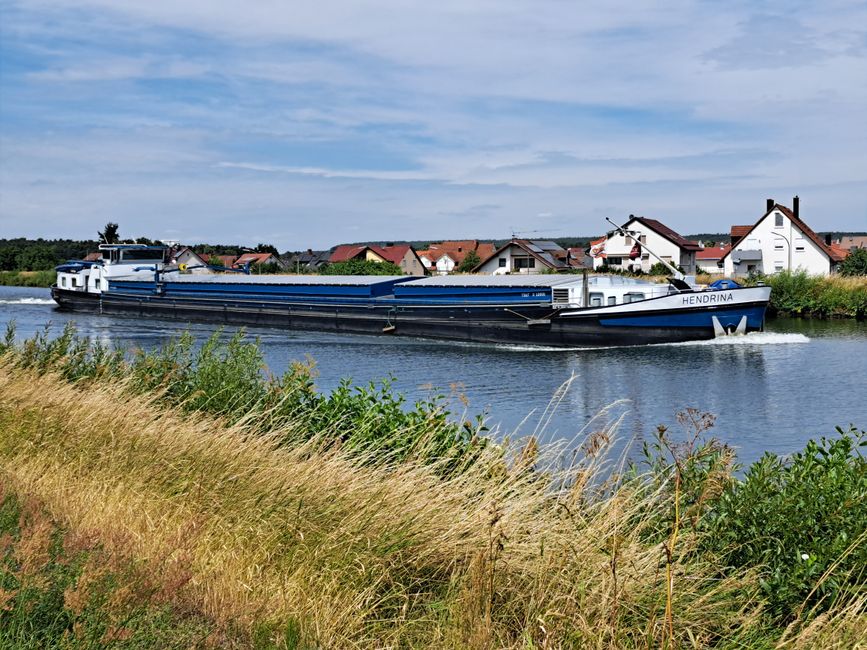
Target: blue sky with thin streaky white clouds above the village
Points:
(306, 125)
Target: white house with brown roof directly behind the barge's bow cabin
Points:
(627, 253)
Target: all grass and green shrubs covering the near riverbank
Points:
(184, 497)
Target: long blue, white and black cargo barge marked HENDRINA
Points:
(542, 310)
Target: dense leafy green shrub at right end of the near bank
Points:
(797, 519)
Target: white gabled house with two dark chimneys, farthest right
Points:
(780, 241)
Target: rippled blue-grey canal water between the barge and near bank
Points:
(769, 391)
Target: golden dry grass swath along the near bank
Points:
(358, 556)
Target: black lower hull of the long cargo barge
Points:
(525, 325)
